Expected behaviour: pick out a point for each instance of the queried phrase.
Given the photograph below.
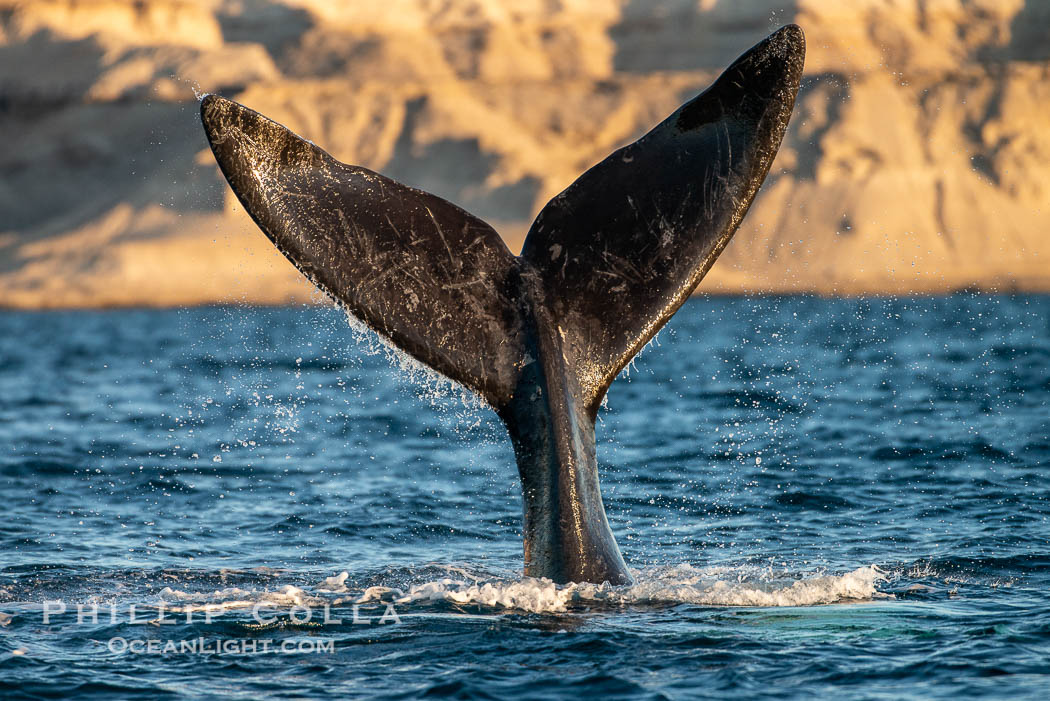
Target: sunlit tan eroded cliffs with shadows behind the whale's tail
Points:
(917, 160)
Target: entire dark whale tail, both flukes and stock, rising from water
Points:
(540, 336)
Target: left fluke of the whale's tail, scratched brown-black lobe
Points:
(432, 279)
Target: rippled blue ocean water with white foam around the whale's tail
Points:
(842, 498)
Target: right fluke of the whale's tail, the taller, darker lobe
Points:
(623, 248)
